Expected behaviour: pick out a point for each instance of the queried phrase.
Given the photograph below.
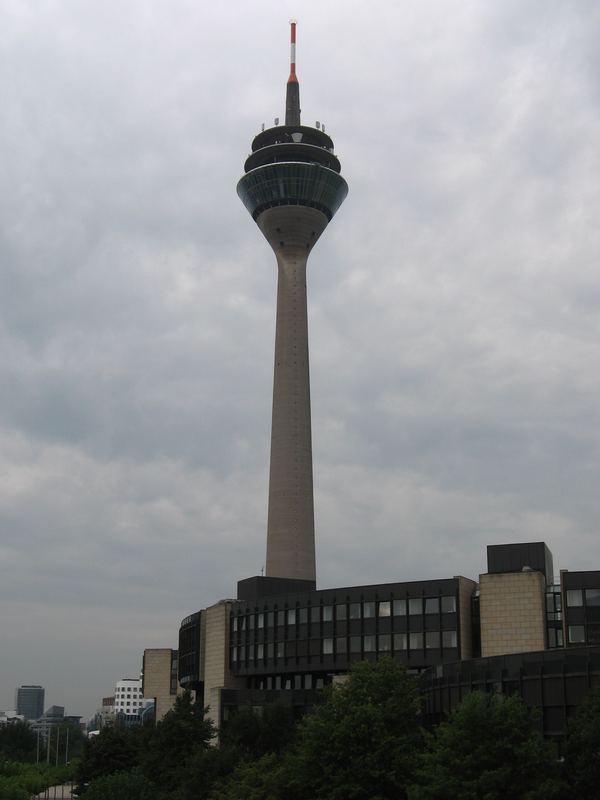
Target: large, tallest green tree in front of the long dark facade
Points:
(361, 743)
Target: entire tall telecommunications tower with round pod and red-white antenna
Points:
(292, 187)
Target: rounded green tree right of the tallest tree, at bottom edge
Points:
(488, 750)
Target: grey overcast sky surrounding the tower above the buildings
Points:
(454, 307)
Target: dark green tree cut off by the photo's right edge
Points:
(582, 752)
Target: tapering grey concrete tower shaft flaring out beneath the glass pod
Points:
(291, 231)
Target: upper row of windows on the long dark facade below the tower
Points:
(342, 611)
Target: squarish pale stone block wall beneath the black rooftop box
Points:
(512, 612)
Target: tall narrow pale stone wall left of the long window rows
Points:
(215, 669)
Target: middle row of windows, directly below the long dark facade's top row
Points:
(384, 643)
